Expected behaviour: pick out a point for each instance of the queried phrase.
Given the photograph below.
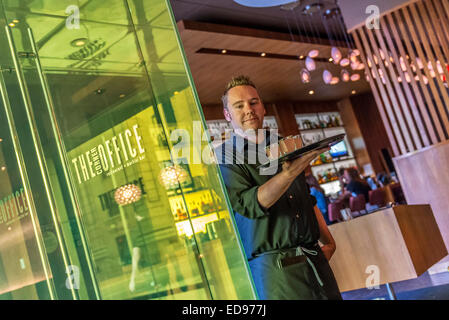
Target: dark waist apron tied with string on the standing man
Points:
(289, 275)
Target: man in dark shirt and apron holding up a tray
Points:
(278, 220)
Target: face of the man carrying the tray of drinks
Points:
(245, 109)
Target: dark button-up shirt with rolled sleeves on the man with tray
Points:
(289, 223)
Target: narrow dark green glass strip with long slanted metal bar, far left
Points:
(43, 173)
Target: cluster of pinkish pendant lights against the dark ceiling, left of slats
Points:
(337, 58)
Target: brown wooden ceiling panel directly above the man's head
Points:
(276, 79)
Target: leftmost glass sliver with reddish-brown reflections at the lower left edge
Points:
(24, 271)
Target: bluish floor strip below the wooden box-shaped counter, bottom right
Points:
(425, 287)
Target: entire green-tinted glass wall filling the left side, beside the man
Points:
(97, 199)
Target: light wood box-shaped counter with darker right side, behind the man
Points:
(389, 245)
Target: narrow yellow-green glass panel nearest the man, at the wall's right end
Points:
(205, 199)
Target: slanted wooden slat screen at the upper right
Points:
(413, 103)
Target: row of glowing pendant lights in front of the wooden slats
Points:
(418, 63)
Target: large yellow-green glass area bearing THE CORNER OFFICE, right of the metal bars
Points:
(133, 224)
